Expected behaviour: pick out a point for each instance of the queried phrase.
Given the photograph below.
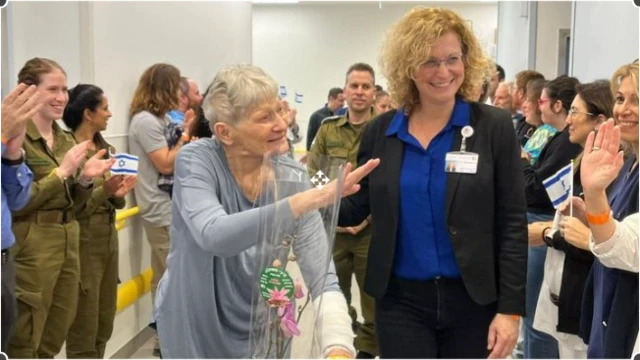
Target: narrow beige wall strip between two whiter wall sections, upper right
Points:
(552, 16)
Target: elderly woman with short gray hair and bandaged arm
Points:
(203, 306)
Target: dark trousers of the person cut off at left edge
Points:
(9, 307)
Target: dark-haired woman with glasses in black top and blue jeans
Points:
(557, 96)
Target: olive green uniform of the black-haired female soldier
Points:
(98, 297)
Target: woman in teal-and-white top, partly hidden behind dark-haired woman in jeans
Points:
(542, 132)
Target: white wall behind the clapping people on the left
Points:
(110, 44)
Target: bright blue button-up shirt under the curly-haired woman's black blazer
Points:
(424, 249)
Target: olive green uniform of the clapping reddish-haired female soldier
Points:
(46, 250)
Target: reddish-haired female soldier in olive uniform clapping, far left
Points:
(46, 232)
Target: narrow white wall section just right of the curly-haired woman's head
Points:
(513, 36)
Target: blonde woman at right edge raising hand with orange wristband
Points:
(609, 320)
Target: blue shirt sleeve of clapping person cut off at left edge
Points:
(16, 185)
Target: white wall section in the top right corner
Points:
(605, 37)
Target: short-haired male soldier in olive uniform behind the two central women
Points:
(339, 139)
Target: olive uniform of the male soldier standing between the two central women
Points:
(338, 139)
